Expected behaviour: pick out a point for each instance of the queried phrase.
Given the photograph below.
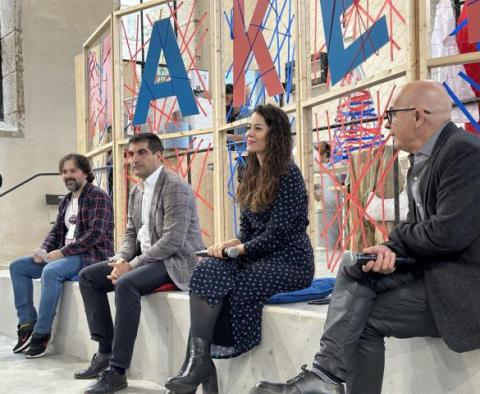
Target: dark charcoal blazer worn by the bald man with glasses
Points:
(446, 245)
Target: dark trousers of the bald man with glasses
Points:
(366, 308)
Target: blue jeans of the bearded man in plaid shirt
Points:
(53, 274)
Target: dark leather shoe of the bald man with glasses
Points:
(306, 382)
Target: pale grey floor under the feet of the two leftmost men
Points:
(50, 374)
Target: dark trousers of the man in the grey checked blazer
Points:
(94, 286)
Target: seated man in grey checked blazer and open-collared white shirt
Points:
(161, 238)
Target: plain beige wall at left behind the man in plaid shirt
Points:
(52, 33)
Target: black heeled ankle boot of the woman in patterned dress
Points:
(199, 369)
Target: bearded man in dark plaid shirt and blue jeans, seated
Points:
(82, 235)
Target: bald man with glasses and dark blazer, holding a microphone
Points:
(438, 295)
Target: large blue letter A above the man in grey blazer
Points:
(163, 37)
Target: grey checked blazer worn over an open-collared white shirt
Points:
(174, 228)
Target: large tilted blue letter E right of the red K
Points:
(341, 60)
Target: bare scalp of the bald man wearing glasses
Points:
(430, 96)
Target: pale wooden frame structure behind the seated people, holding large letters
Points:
(417, 65)
